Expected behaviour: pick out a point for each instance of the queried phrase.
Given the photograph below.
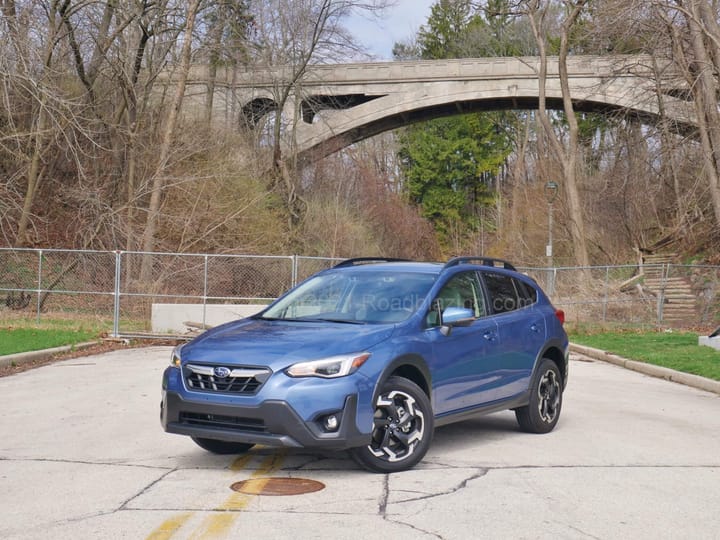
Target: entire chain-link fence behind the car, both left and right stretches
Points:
(125, 291)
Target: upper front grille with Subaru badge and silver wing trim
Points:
(243, 380)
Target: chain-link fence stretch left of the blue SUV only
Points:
(120, 290)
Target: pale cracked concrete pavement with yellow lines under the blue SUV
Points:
(83, 455)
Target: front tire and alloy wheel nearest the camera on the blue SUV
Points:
(403, 428)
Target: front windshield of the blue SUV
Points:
(364, 297)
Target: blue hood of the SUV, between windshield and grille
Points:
(277, 344)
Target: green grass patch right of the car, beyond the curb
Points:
(674, 350)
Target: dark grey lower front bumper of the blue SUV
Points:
(271, 423)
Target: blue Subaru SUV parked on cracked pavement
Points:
(370, 356)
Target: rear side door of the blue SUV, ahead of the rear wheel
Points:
(521, 331)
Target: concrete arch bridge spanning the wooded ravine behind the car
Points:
(333, 106)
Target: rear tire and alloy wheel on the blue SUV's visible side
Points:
(543, 411)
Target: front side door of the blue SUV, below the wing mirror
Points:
(464, 361)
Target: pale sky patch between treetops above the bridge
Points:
(400, 23)
